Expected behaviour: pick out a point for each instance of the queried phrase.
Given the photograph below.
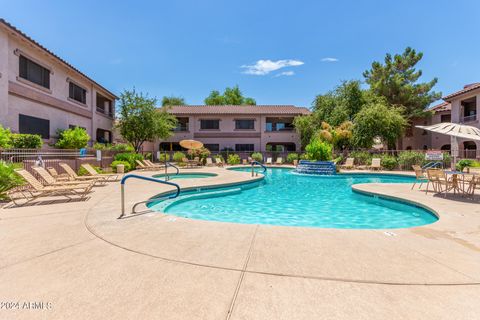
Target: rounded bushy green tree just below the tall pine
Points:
(378, 120)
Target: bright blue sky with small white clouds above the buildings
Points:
(278, 52)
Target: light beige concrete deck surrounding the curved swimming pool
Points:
(87, 264)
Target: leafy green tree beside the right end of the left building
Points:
(141, 121)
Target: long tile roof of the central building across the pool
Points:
(230, 109)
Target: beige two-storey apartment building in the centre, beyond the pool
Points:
(237, 128)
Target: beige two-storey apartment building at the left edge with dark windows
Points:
(40, 92)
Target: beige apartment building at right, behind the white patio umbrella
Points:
(463, 107)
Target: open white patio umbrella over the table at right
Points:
(454, 130)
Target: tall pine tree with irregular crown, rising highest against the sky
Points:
(398, 81)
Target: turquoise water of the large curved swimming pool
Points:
(287, 199)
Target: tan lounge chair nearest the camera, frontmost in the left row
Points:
(38, 190)
